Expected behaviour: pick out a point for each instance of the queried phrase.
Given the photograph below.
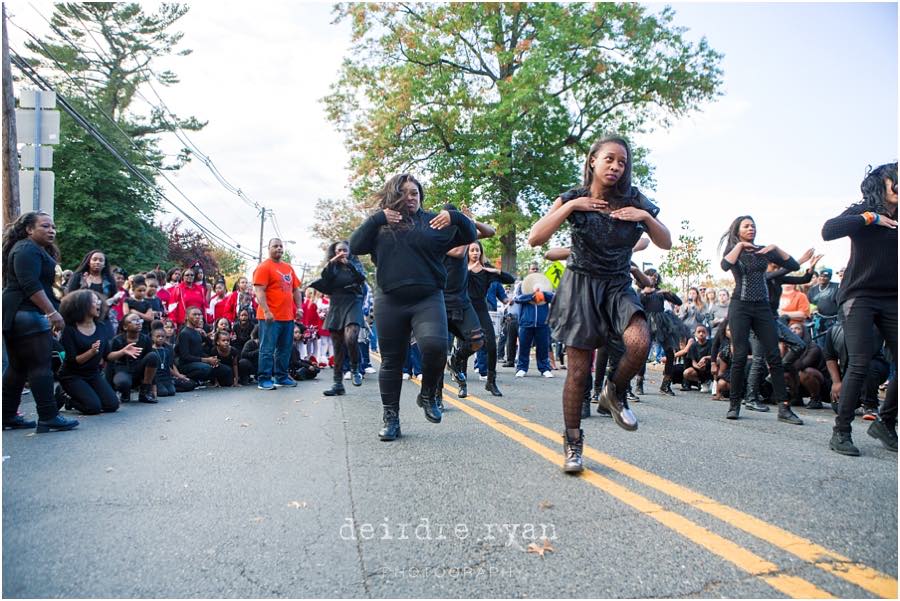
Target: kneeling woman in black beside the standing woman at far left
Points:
(86, 341)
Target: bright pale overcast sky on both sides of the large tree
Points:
(810, 100)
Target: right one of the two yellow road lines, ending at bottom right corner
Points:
(877, 583)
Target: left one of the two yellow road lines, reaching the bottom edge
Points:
(792, 586)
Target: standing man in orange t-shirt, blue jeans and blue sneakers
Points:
(278, 292)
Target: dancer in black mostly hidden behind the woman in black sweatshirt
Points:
(462, 321)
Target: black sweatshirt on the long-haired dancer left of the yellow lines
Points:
(411, 257)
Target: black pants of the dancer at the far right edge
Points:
(859, 314)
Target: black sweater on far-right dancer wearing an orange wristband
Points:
(872, 270)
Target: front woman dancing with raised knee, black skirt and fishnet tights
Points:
(595, 300)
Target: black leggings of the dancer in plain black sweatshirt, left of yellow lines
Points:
(396, 317)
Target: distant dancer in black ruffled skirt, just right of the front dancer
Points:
(665, 328)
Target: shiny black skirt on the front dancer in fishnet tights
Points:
(586, 310)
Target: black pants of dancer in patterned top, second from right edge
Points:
(744, 317)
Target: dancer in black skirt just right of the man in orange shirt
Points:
(343, 279)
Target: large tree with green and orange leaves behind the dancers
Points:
(497, 104)
